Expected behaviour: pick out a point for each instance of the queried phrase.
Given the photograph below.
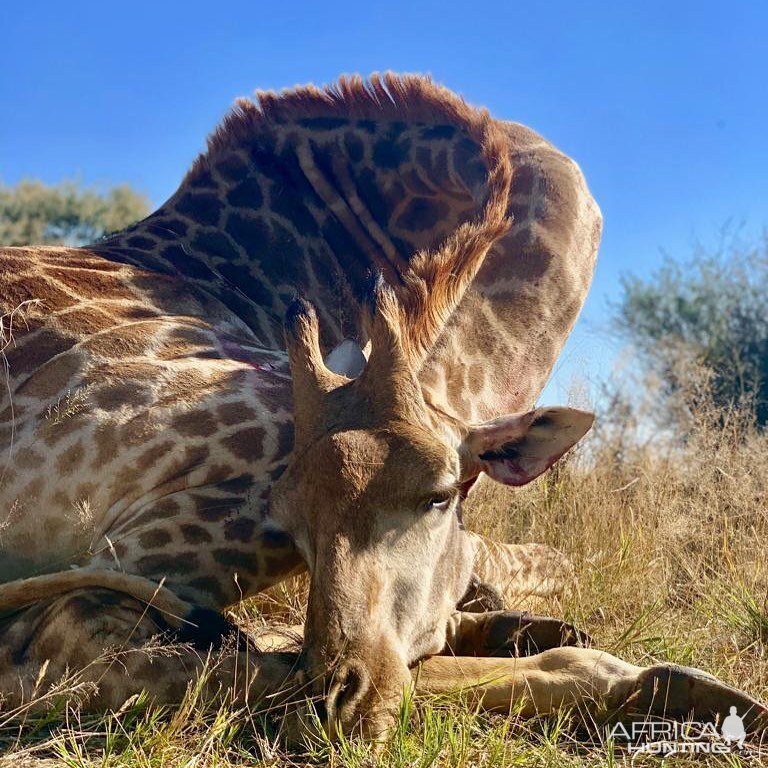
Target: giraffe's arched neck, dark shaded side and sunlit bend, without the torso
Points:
(312, 190)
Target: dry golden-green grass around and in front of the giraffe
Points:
(668, 549)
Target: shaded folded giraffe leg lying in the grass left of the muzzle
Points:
(101, 647)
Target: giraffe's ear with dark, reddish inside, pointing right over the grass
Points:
(517, 448)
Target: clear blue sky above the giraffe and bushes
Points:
(663, 104)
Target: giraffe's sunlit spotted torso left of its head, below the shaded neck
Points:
(154, 438)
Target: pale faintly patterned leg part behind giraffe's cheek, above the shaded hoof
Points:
(520, 569)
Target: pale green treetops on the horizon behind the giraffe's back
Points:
(33, 213)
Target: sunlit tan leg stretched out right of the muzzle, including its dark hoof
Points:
(591, 681)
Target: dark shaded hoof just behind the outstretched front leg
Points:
(519, 633)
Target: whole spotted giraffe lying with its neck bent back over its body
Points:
(152, 477)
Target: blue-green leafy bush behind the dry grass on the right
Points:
(710, 313)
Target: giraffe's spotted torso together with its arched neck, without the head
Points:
(149, 439)
